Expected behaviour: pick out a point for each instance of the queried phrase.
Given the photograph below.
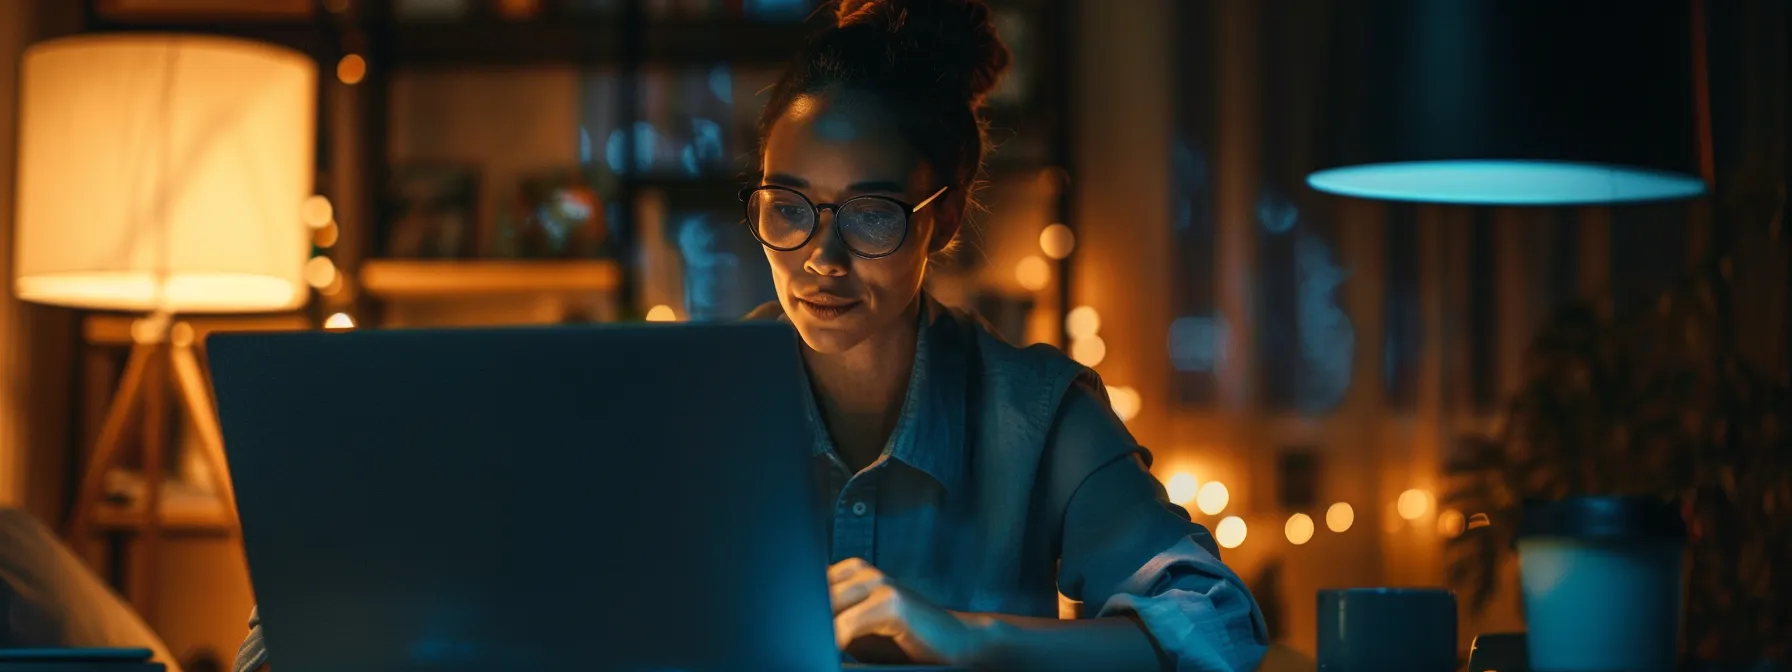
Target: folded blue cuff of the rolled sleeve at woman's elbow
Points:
(1196, 608)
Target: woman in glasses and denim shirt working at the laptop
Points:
(972, 481)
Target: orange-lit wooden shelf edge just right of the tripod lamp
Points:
(454, 279)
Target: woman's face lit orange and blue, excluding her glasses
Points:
(834, 148)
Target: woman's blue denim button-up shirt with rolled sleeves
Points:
(1010, 483)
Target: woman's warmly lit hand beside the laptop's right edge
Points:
(868, 605)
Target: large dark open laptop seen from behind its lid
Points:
(630, 499)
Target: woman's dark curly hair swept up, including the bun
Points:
(929, 62)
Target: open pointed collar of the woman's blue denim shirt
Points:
(931, 433)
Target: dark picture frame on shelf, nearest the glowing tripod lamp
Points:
(431, 212)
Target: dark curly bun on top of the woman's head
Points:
(936, 42)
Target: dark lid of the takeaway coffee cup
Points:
(1603, 519)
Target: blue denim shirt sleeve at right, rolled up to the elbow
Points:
(1128, 551)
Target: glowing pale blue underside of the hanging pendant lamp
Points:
(1506, 184)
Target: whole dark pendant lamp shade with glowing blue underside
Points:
(1512, 103)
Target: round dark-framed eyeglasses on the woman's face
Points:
(872, 227)
